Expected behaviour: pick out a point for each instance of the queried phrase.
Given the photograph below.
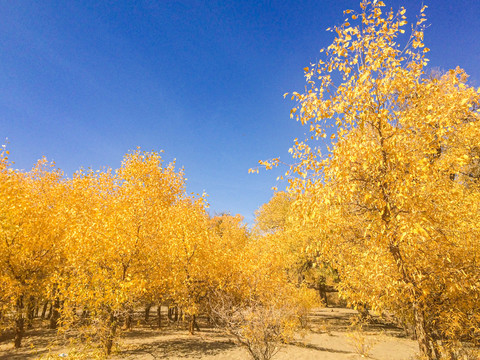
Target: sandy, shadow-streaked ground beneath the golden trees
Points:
(329, 336)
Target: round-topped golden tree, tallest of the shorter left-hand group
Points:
(119, 222)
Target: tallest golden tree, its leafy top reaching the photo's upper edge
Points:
(395, 201)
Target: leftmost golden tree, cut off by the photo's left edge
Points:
(31, 229)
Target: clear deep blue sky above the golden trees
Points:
(82, 82)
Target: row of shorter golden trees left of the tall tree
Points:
(104, 243)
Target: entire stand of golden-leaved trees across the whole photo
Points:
(386, 211)
